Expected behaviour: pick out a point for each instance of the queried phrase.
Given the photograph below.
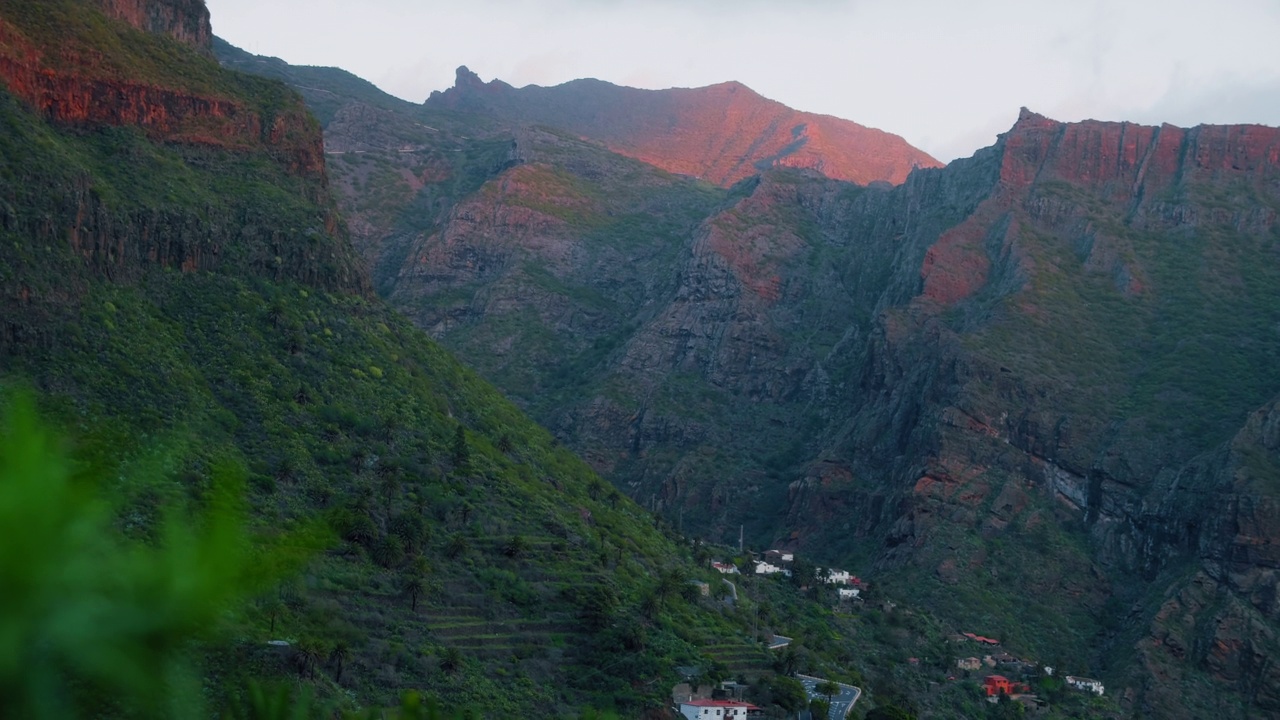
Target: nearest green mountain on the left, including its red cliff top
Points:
(181, 294)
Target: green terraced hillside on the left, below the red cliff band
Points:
(472, 558)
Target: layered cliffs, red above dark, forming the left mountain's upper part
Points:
(234, 166)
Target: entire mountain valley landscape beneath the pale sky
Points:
(495, 379)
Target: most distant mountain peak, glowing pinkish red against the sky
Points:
(721, 134)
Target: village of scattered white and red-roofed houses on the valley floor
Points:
(1000, 675)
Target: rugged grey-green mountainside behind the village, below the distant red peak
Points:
(1028, 393)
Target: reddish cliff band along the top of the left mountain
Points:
(65, 78)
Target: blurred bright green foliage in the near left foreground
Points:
(89, 618)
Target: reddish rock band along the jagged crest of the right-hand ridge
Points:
(1114, 163)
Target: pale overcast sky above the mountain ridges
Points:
(945, 75)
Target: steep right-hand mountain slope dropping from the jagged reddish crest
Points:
(1080, 339)
